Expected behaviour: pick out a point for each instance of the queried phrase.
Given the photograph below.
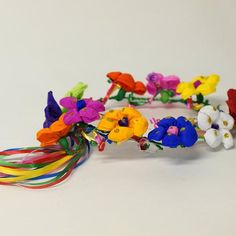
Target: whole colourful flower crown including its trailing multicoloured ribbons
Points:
(69, 131)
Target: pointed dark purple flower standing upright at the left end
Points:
(52, 111)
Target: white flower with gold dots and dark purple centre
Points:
(217, 125)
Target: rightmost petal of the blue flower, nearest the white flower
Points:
(188, 136)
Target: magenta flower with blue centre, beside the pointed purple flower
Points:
(85, 110)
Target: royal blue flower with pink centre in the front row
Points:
(174, 132)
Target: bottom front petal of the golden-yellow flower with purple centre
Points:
(120, 134)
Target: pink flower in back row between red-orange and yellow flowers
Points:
(158, 82)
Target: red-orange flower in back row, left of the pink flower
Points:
(127, 82)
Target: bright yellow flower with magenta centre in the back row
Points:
(199, 85)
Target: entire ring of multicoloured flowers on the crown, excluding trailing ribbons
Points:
(77, 113)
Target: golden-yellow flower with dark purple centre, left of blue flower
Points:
(123, 124)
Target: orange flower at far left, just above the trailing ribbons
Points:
(50, 136)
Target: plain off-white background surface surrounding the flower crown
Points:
(51, 45)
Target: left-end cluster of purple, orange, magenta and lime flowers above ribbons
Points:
(59, 122)
